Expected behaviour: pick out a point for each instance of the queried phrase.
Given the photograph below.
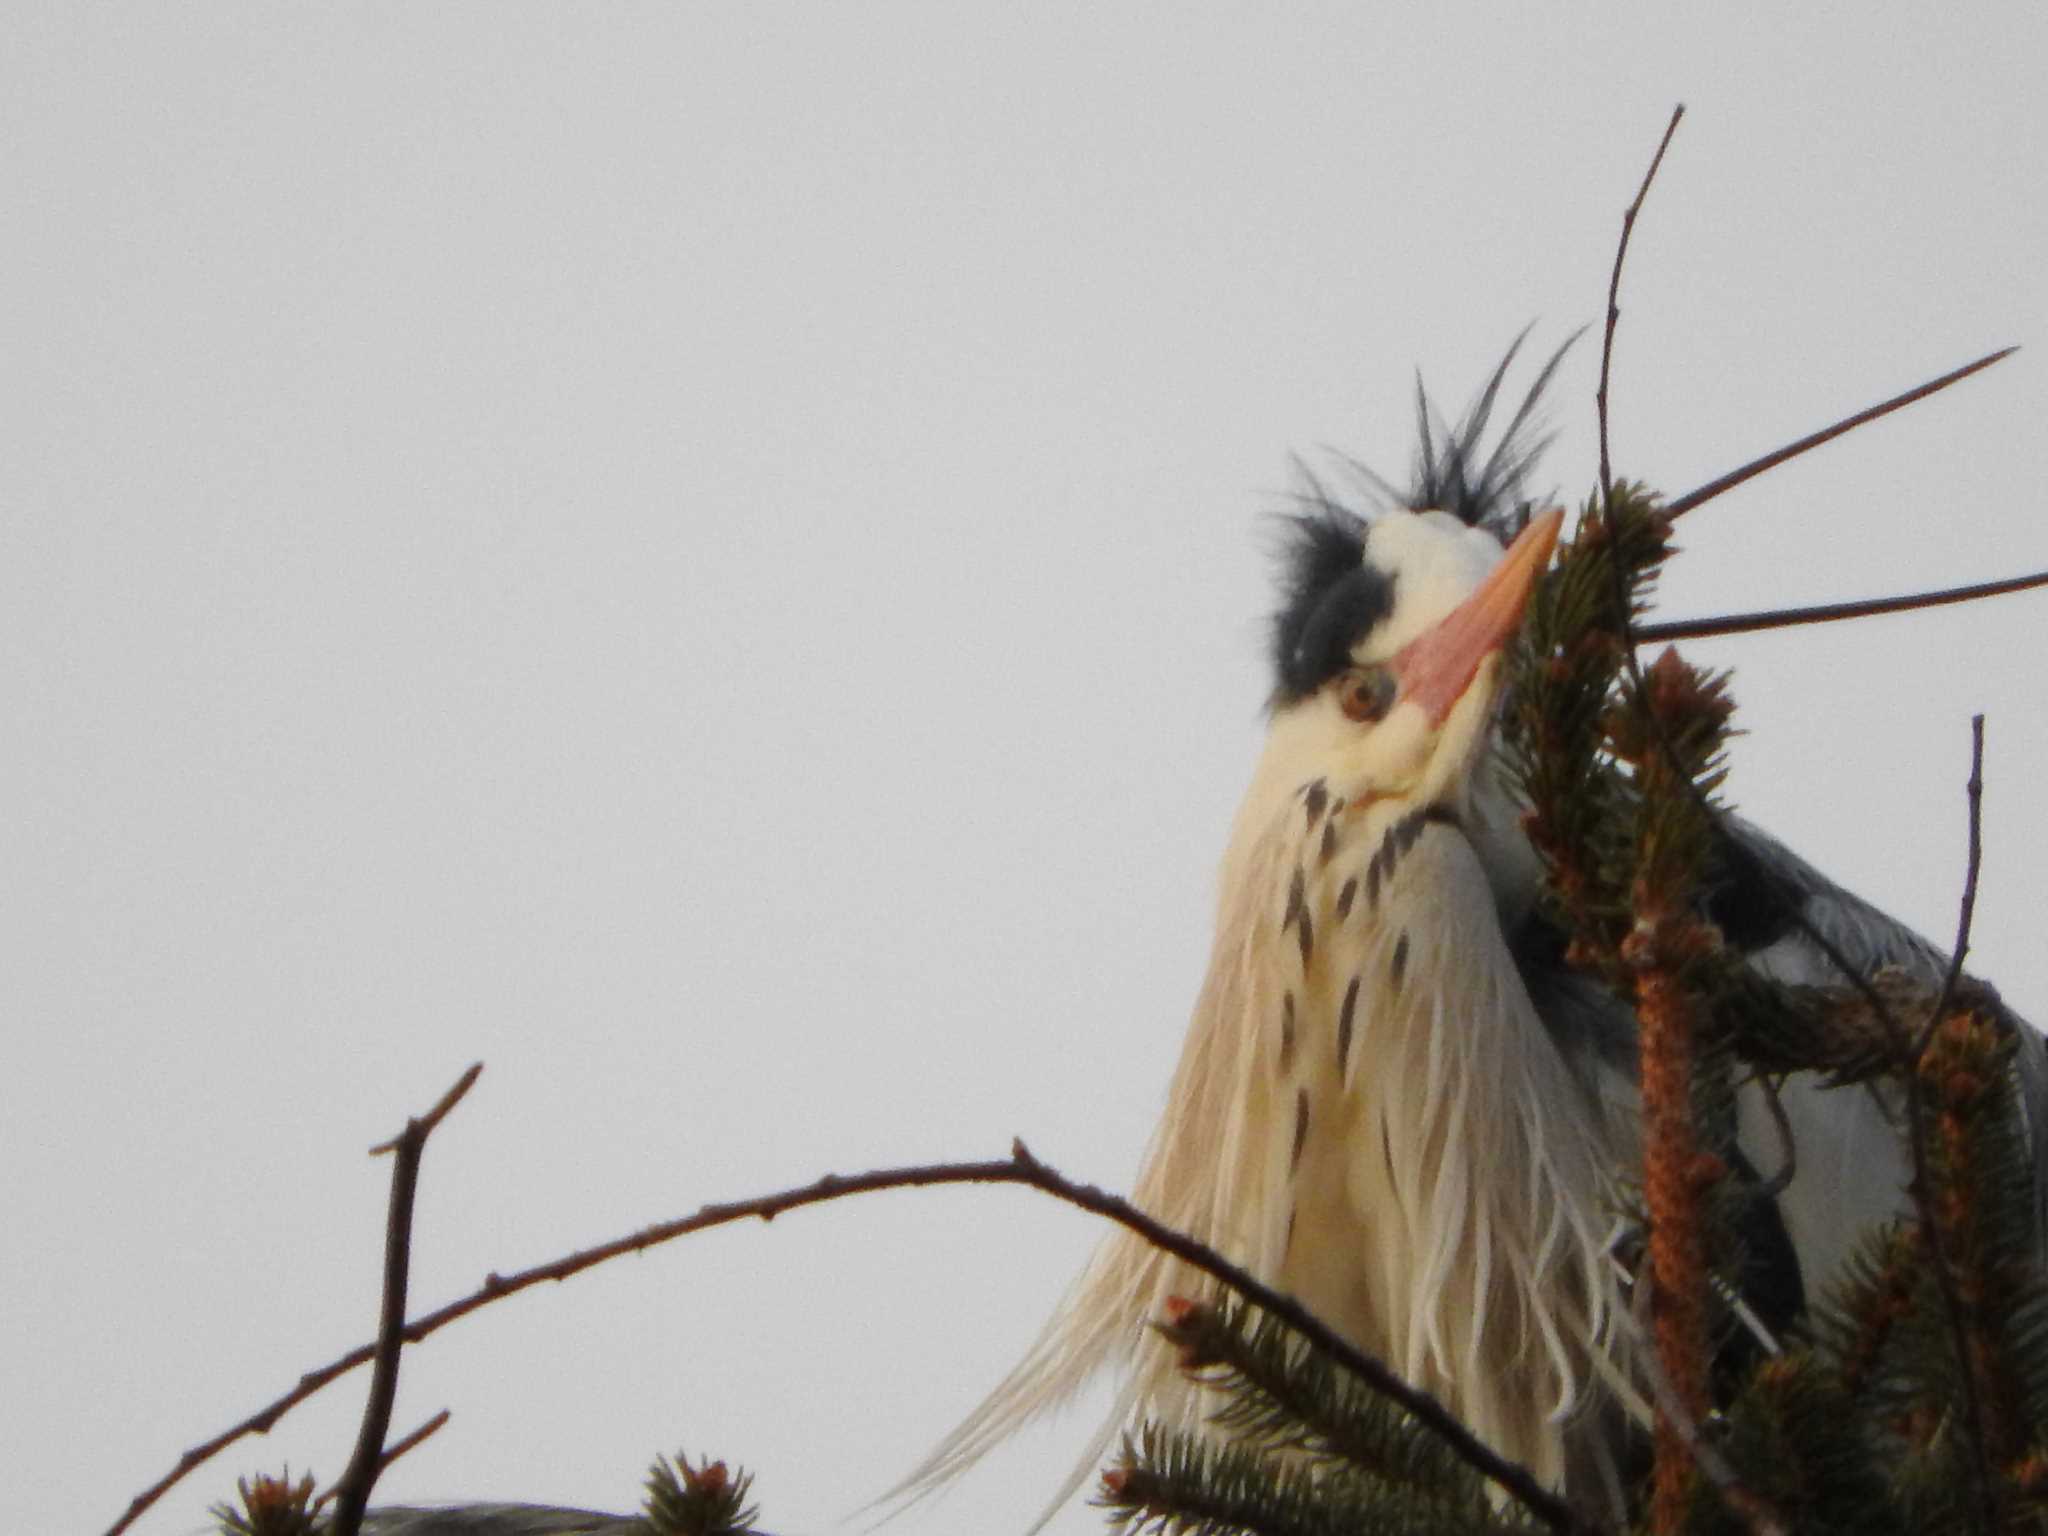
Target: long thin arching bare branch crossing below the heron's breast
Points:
(1019, 1168)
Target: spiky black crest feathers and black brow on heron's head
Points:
(1328, 593)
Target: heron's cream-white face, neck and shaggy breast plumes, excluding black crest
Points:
(1369, 1111)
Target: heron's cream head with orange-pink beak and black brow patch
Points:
(1390, 648)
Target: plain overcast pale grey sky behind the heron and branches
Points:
(712, 560)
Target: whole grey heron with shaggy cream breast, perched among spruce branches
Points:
(1394, 1101)
